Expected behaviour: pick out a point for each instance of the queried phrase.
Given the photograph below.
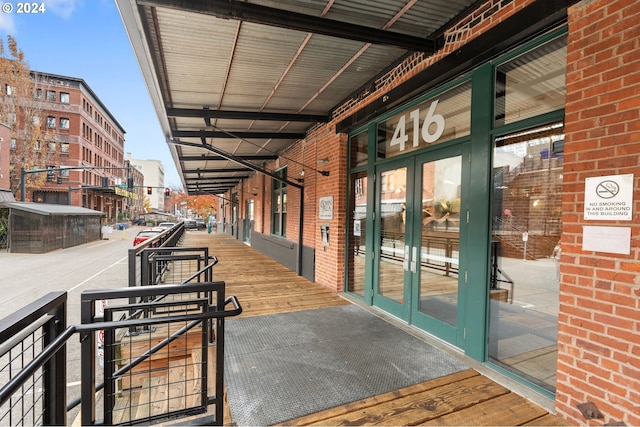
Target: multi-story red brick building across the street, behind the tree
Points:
(82, 135)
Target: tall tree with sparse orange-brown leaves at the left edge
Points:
(21, 108)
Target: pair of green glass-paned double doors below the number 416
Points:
(421, 218)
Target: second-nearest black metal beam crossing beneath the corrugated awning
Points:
(208, 114)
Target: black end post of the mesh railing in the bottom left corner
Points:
(55, 370)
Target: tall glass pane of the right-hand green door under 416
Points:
(439, 239)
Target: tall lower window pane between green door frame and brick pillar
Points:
(526, 230)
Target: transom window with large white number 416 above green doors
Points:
(442, 118)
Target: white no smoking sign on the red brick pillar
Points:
(609, 198)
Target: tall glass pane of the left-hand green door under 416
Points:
(392, 249)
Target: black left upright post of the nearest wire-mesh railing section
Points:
(88, 358)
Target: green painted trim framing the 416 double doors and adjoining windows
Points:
(475, 237)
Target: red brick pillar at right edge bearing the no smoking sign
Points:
(599, 326)
